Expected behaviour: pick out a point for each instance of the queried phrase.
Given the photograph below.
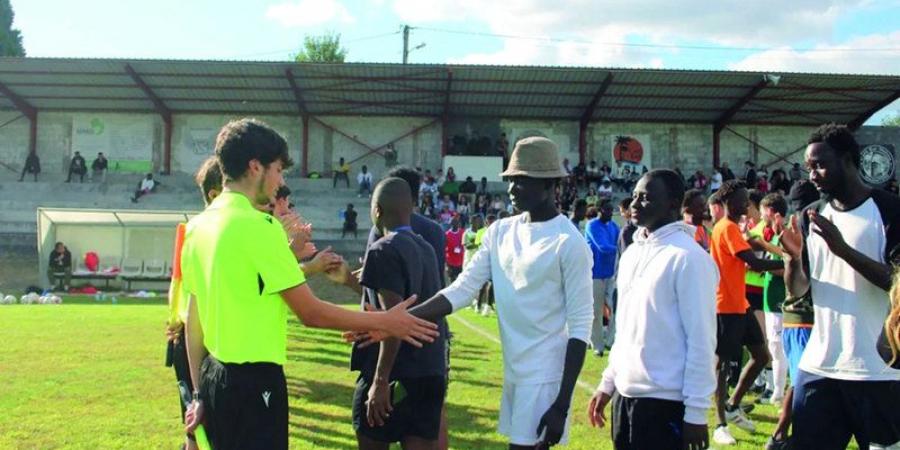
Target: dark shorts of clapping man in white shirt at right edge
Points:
(828, 411)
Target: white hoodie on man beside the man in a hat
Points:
(665, 322)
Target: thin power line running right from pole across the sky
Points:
(660, 46)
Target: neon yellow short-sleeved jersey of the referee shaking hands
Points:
(235, 261)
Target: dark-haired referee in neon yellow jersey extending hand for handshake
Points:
(242, 278)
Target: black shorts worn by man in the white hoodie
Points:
(646, 423)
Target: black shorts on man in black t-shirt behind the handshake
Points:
(417, 414)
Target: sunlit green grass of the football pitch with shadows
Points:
(91, 376)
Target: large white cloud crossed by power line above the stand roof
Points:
(759, 23)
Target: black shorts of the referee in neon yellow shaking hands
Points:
(246, 405)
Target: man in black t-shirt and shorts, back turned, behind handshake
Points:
(400, 390)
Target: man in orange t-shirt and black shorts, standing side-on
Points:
(736, 325)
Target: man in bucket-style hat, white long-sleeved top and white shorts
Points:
(540, 266)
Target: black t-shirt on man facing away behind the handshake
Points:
(403, 263)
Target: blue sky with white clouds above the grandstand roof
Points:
(844, 36)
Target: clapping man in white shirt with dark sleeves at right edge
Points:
(842, 252)
